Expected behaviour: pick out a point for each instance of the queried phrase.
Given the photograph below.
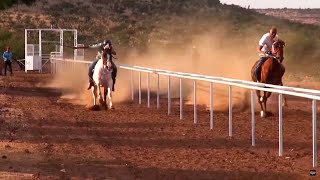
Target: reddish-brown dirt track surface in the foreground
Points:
(42, 137)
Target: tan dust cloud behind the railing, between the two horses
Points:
(212, 53)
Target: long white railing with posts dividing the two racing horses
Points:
(281, 90)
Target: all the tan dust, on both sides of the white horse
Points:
(217, 54)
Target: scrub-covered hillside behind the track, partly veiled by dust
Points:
(172, 27)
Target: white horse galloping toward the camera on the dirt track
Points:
(102, 78)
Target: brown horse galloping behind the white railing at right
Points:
(271, 73)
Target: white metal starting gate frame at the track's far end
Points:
(34, 58)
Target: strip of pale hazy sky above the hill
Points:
(275, 3)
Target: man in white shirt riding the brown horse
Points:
(265, 49)
